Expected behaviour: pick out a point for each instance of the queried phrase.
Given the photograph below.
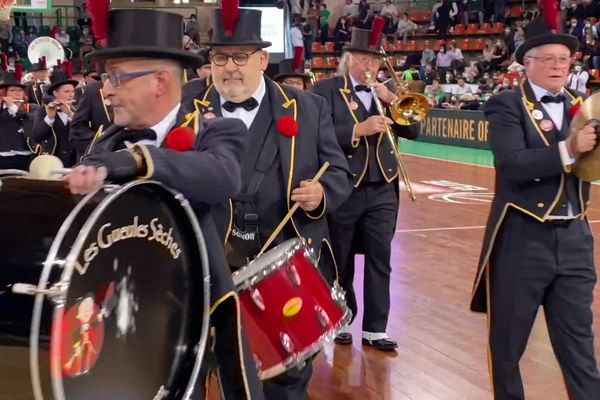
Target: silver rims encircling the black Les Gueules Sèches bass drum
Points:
(56, 376)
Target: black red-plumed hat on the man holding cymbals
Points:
(542, 31)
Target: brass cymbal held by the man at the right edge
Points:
(587, 168)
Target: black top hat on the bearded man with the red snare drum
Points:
(243, 31)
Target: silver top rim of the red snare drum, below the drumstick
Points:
(242, 279)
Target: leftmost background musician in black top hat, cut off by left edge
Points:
(15, 122)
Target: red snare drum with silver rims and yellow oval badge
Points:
(288, 309)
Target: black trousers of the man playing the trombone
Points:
(368, 215)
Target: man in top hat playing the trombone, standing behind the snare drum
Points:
(369, 215)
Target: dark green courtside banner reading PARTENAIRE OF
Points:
(455, 128)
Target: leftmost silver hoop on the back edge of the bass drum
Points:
(37, 310)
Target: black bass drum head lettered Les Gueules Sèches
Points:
(135, 316)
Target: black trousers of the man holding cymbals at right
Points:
(551, 265)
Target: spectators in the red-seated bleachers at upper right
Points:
(470, 42)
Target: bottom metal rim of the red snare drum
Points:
(304, 355)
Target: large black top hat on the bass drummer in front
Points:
(126, 39)
